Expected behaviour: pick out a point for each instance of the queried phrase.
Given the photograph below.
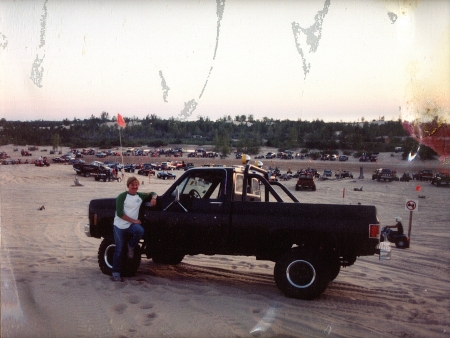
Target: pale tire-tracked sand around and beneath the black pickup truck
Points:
(52, 286)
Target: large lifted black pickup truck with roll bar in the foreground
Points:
(238, 211)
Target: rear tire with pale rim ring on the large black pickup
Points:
(301, 274)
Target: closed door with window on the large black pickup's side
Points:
(196, 216)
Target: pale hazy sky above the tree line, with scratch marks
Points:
(333, 60)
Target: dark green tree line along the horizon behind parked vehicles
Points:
(244, 133)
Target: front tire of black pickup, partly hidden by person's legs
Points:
(106, 255)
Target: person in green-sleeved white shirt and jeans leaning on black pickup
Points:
(126, 221)
